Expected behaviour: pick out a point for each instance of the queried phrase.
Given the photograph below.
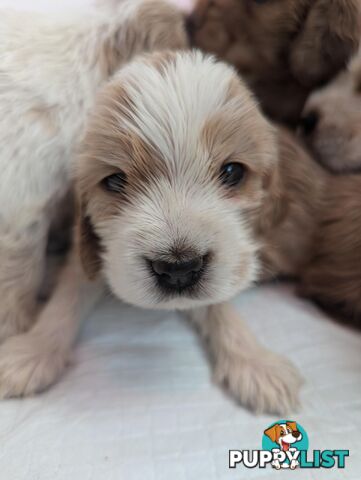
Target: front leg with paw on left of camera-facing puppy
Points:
(30, 362)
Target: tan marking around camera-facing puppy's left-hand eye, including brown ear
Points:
(109, 148)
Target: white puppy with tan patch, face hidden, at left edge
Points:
(50, 71)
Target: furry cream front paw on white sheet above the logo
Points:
(265, 383)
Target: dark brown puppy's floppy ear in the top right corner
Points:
(330, 35)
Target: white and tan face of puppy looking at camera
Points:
(176, 165)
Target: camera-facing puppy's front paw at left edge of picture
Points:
(28, 365)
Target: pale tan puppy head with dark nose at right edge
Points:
(331, 122)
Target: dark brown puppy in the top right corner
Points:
(283, 48)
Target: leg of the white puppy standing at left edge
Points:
(21, 271)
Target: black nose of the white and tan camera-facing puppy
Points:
(178, 276)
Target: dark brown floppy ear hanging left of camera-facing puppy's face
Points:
(88, 243)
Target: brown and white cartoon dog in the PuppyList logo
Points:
(284, 435)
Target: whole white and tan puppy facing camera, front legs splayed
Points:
(175, 185)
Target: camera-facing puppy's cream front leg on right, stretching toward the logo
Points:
(259, 379)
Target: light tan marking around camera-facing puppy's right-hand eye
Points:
(239, 133)
